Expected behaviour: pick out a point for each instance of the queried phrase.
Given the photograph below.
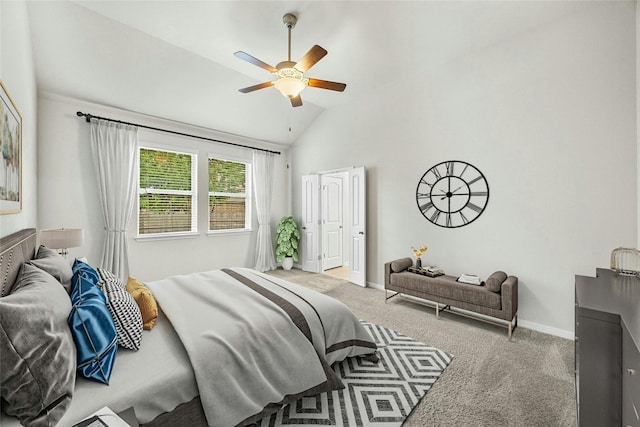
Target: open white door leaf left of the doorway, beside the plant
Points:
(309, 225)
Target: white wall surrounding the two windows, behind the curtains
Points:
(68, 189)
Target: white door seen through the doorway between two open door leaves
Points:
(332, 239)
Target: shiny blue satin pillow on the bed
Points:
(91, 325)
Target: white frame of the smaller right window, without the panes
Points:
(247, 195)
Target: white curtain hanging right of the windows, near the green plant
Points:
(263, 170)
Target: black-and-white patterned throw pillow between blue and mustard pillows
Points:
(124, 310)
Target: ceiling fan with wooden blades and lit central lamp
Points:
(290, 79)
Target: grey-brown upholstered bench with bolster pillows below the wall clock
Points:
(497, 297)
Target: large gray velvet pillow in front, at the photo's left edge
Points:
(38, 364)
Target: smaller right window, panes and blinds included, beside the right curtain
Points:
(229, 195)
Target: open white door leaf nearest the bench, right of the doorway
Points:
(357, 221)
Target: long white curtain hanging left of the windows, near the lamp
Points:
(115, 157)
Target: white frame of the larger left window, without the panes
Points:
(193, 193)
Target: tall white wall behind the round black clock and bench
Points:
(549, 117)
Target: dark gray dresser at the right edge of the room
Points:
(607, 315)
